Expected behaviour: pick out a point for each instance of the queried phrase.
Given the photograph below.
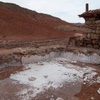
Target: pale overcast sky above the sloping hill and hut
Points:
(67, 10)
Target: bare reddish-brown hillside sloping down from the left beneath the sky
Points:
(17, 23)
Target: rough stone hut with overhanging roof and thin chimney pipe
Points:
(92, 23)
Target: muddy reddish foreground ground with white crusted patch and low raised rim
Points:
(49, 73)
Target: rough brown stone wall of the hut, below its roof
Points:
(92, 36)
